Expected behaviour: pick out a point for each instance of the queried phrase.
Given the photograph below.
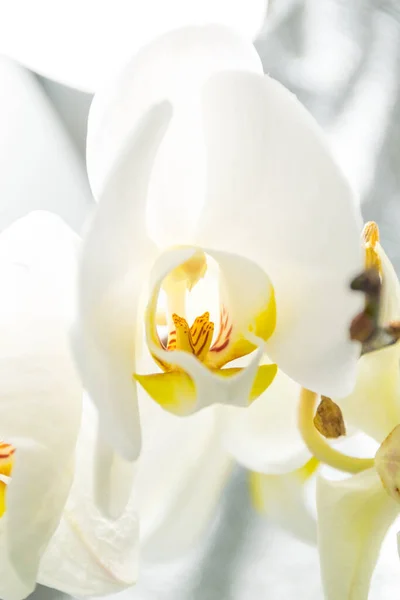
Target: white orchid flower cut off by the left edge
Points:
(50, 532)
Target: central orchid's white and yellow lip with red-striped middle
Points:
(194, 355)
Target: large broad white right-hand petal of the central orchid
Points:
(276, 196)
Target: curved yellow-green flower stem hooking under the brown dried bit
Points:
(317, 445)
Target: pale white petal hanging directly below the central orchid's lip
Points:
(181, 473)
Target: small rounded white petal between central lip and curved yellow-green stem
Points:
(265, 436)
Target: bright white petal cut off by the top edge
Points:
(106, 33)
